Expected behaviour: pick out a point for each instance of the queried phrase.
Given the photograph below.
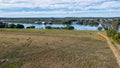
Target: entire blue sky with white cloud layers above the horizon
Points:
(59, 8)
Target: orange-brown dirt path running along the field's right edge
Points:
(112, 47)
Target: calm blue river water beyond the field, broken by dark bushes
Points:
(76, 26)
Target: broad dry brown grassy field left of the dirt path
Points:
(30, 48)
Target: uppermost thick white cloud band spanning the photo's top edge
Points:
(66, 4)
